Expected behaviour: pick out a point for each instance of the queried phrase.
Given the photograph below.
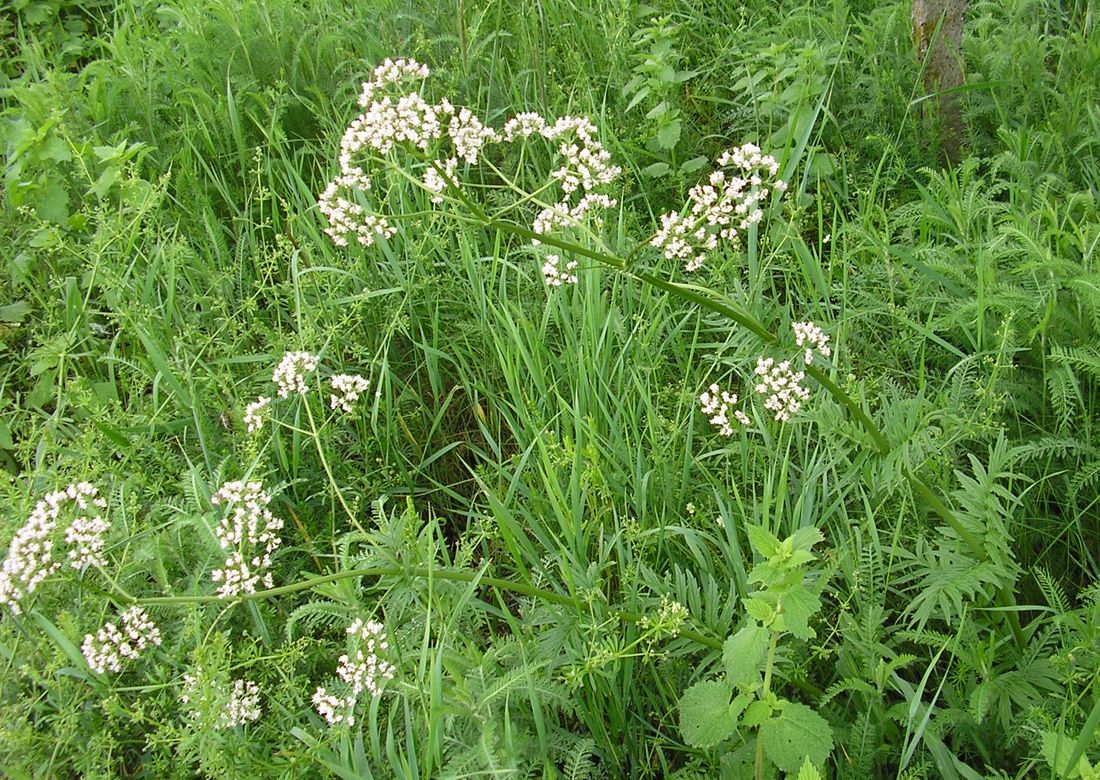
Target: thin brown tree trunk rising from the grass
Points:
(938, 47)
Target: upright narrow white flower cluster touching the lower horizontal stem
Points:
(251, 531)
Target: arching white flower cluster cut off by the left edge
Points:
(30, 558)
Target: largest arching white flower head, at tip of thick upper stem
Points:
(393, 119)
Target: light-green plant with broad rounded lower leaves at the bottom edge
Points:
(743, 709)
